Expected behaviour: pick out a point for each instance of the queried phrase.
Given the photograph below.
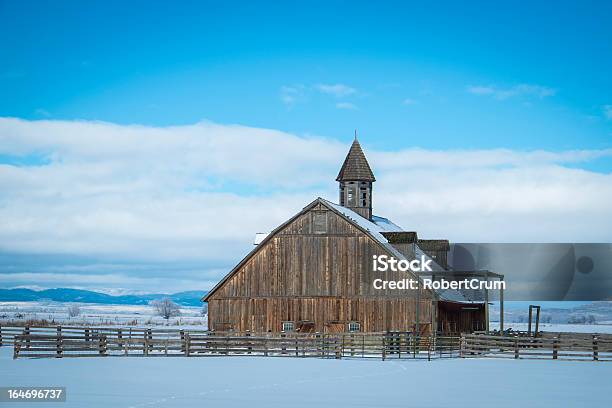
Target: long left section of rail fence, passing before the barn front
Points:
(60, 341)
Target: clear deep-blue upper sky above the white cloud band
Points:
(412, 67)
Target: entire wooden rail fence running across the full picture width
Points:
(68, 341)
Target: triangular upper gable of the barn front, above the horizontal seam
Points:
(321, 251)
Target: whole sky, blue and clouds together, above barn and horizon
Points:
(150, 136)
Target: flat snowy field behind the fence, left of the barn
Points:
(97, 314)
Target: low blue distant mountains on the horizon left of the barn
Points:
(190, 298)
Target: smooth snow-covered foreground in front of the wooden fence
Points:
(292, 382)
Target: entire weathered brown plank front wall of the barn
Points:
(318, 268)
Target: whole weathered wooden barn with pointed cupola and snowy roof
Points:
(314, 273)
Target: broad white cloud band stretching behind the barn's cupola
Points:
(201, 192)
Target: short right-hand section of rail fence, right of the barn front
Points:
(566, 346)
